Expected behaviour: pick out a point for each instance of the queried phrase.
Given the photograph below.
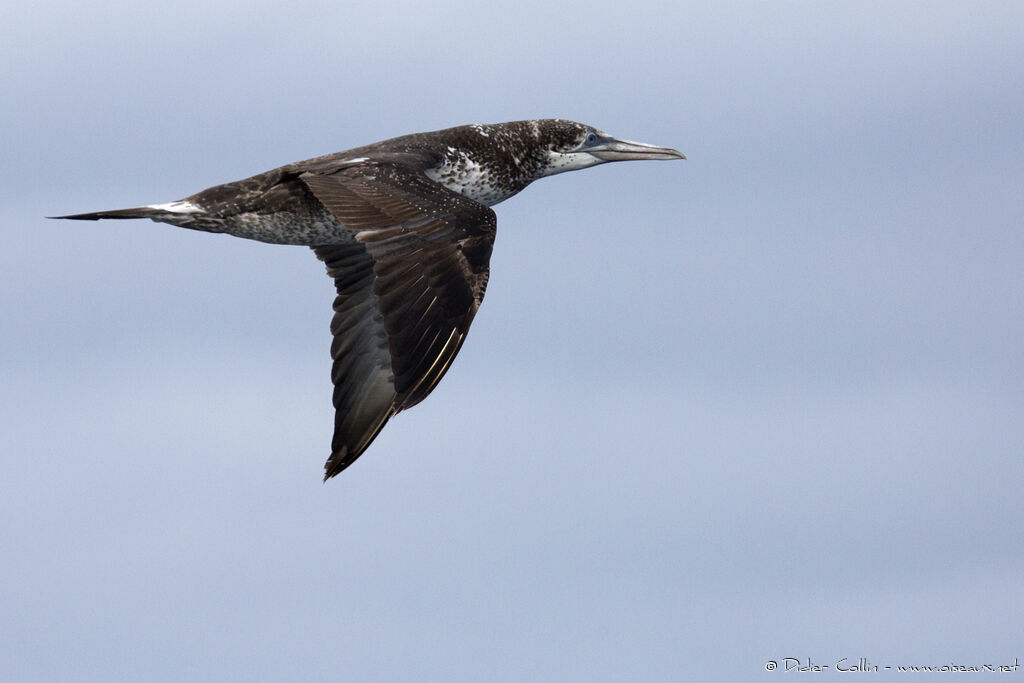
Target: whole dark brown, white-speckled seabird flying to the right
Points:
(406, 230)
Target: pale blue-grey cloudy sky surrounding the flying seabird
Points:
(763, 404)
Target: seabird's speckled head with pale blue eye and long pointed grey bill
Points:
(574, 146)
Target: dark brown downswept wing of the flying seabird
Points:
(409, 286)
